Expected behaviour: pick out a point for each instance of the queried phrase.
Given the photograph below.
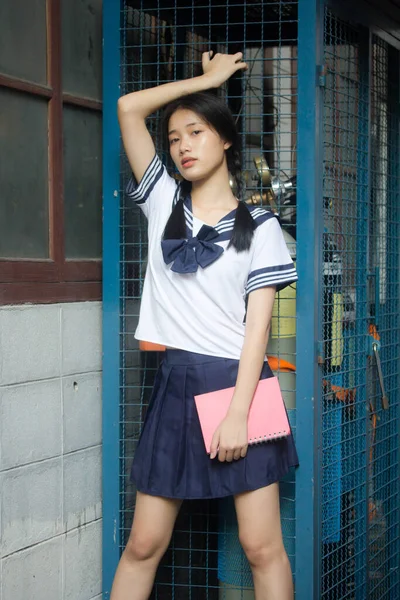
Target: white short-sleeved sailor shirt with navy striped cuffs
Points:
(203, 311)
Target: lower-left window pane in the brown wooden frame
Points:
(24, 212)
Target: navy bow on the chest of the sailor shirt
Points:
(187, 255)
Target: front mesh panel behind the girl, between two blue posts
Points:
(160, 42)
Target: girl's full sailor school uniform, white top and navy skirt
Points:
(194, 300)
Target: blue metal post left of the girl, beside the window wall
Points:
(111, 282)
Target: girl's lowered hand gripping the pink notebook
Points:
(230, 439)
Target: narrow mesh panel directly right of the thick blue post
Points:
(343, 423)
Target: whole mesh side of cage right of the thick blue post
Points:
(359, 541)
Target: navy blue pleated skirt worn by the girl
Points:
(171, 459)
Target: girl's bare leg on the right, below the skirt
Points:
(260, 534)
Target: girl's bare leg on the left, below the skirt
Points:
(151, 532)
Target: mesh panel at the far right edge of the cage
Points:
(383, 492)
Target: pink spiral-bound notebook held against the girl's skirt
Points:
(267, 418)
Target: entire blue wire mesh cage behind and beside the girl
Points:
(353, 411)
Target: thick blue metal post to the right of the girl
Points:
(309, 190)
